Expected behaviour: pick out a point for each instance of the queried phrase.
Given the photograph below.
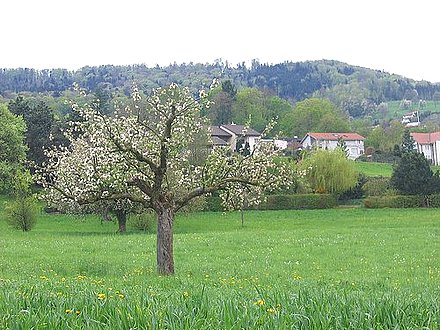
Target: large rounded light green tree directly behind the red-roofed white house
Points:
(314, 115)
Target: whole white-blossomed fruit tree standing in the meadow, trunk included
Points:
(143, 154)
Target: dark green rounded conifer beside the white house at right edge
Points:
(413, 175)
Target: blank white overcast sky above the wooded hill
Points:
(399, 37)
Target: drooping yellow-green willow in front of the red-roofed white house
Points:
(329, 171)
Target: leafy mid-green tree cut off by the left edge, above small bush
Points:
(12, 147)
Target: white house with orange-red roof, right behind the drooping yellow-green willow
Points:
(353, 142)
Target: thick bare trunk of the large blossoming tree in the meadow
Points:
(165, 260)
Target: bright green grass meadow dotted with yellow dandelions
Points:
(320, 269)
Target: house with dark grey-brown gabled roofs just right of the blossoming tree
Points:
(224, 135)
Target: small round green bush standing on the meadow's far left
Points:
(21, 213)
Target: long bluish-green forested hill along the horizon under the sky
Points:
(355, 89)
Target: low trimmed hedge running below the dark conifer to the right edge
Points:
(402, 201)
